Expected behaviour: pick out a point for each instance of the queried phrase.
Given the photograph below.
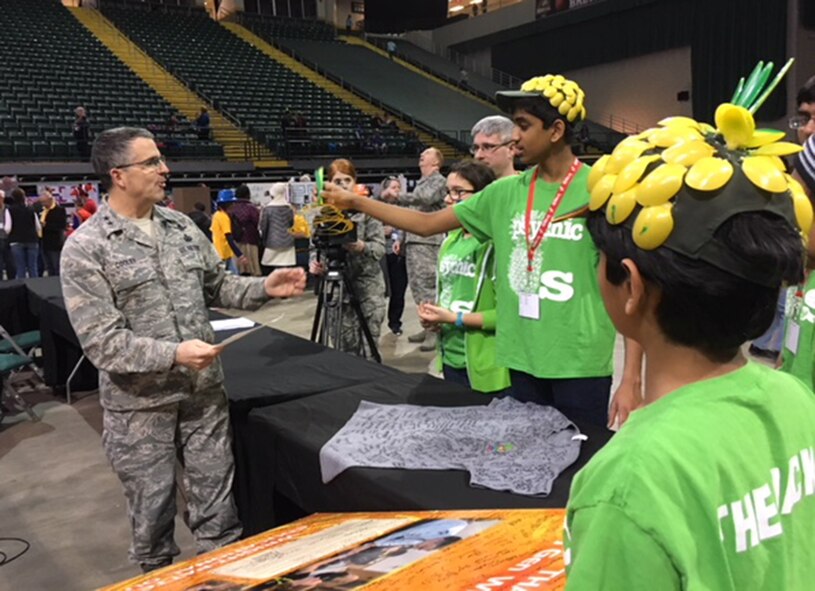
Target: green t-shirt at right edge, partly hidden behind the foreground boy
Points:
(799, 333)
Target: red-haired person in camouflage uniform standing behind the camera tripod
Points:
(363, 270)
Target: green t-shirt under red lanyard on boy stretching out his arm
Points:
(574, 337)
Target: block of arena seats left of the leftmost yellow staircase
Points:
(50, 64)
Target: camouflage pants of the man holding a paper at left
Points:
(142, 446)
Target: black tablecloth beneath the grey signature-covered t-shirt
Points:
(285, 441)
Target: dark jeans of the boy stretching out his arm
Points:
(580, 399)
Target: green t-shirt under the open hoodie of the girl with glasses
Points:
(457, 290)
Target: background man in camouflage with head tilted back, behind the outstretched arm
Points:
(422, 252)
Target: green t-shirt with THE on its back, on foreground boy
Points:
(710, 488)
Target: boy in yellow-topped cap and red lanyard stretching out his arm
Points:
(552, 330)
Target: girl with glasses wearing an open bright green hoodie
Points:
(465, 312)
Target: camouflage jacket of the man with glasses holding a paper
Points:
(132, 298)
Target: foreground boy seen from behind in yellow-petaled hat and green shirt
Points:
(711, 485)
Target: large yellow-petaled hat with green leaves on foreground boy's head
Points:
(676, 184)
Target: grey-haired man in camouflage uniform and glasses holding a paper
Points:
(137, 281)
